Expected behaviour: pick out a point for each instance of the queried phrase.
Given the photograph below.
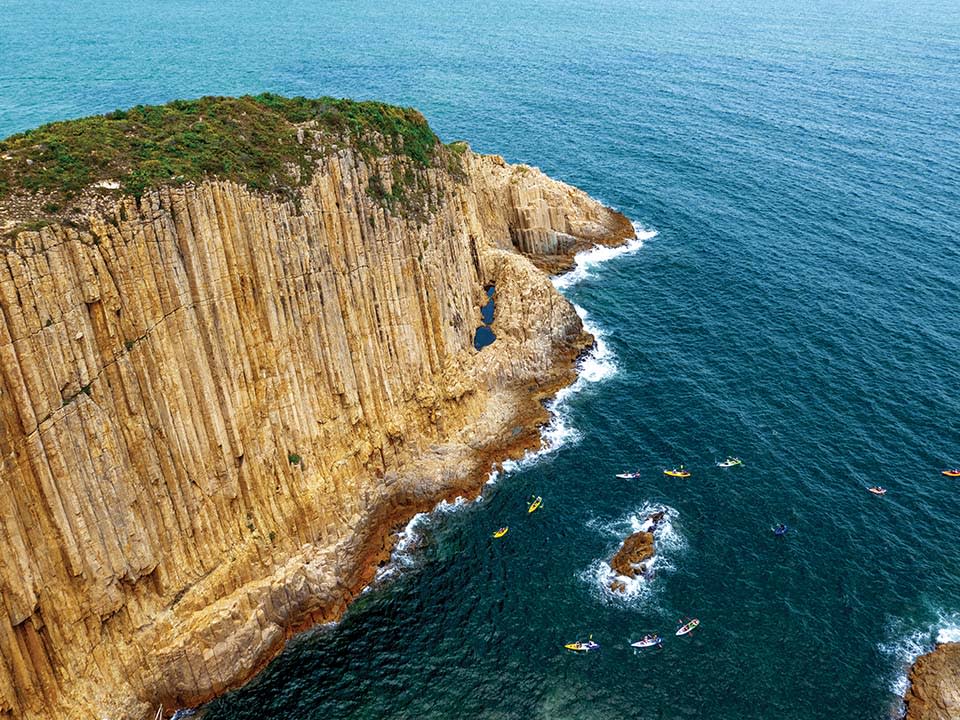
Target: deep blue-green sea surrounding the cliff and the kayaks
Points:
(798, 307)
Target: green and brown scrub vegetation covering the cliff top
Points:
(253, 140)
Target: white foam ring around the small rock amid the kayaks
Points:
(668, 543)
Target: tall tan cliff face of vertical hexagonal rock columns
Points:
(214, 405)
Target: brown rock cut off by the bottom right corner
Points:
(934, 692)
